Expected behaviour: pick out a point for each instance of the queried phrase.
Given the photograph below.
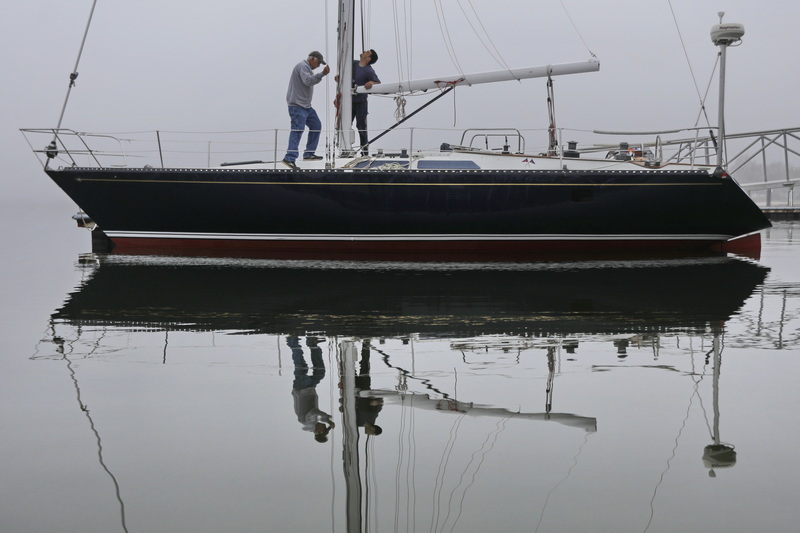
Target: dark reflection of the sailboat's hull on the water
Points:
(385, 299)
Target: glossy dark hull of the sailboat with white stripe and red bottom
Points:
(352, 213)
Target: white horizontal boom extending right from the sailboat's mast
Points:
(592, 65)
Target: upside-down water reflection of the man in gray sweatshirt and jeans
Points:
(304, 388)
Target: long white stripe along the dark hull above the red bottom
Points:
(412, 237)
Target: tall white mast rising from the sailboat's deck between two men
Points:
(344, 86)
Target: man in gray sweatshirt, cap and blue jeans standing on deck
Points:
(298, 97)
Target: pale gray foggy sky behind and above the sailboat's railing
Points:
(210, 65)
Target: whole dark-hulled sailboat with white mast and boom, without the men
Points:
(456, 202)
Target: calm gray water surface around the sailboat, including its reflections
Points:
(152, 395)
